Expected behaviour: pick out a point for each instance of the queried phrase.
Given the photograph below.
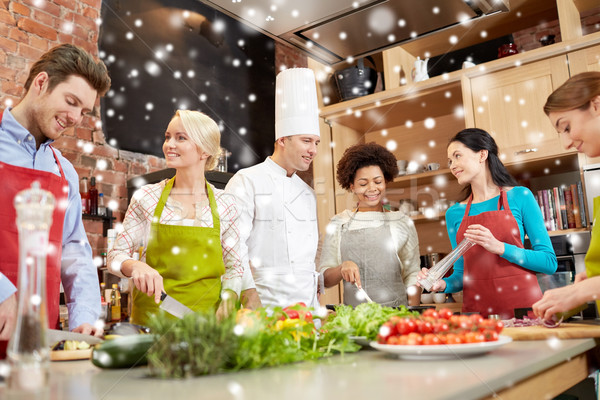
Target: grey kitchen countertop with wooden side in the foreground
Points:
(527, 369)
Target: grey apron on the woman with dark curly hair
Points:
(378, 263)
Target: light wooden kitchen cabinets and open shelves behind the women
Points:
(415, 121)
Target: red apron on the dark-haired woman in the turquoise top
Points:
(492, 284)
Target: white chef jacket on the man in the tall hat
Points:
(278, 224)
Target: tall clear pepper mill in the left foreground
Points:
(28, 352)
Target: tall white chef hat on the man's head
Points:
(296, 108)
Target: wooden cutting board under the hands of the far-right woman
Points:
(564, 331)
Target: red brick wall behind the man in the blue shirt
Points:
(28, 28)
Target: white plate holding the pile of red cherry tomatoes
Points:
(437, 352)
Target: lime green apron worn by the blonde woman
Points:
(189, 258)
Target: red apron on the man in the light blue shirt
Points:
(14, 179)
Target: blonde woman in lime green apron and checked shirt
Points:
(186, 227)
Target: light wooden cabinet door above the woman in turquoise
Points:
(509, 105)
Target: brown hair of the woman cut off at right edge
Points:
(576, 93)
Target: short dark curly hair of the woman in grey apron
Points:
(365, 155)
